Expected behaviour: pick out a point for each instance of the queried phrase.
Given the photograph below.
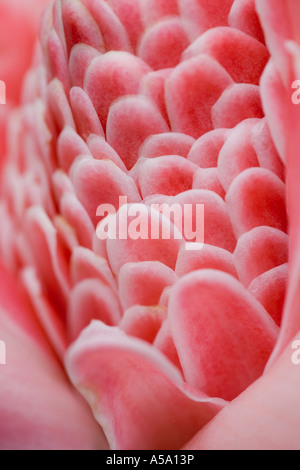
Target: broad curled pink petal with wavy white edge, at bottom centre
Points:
(135, 392)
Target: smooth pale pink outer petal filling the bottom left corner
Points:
(38, 408)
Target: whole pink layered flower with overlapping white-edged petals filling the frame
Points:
(175, 102)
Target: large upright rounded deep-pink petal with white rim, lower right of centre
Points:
(223, 336)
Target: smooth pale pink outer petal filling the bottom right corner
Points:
(265, 417)
